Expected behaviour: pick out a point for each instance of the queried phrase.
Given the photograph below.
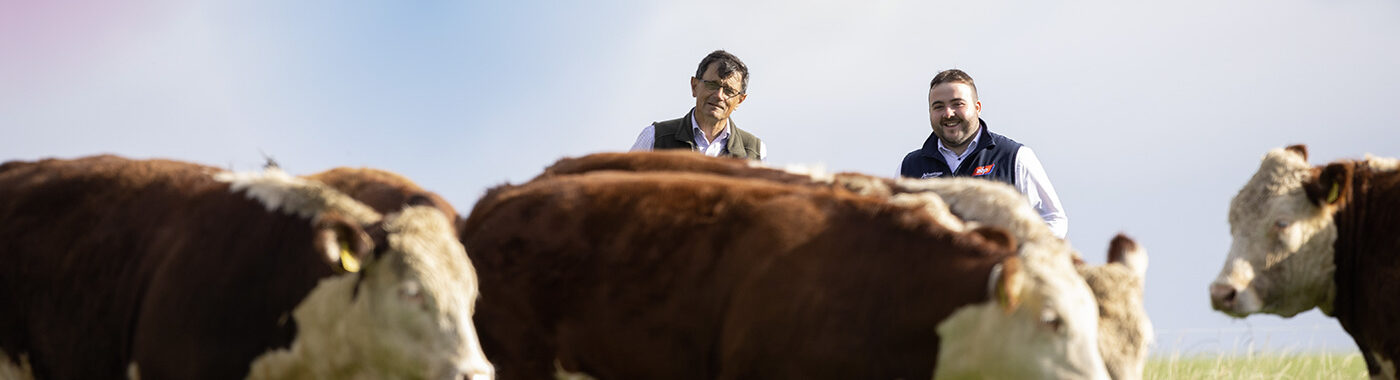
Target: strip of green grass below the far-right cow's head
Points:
(1258, 367)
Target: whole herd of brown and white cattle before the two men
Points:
(633, 266)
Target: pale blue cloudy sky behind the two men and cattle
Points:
(1147, 117)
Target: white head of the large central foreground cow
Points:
(1042, 323)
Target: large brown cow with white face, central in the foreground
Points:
(691, 276)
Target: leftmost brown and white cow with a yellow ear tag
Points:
(164, 270)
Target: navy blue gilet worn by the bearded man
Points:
(995, 158)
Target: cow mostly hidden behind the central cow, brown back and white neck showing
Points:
(1125, 330)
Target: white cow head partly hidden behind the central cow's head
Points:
(1125, 330)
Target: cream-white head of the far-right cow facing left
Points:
(1282, 222)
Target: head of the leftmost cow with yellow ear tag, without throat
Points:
(414, 304)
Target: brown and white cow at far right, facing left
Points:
(1321, 238)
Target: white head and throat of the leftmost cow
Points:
(383, 332)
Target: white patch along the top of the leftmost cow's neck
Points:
(282, 193)
